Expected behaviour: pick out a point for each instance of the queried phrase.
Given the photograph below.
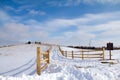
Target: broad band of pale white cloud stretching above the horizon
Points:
(100, 28)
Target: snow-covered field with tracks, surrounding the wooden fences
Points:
(19, 63)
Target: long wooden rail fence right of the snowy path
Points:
(84, 53)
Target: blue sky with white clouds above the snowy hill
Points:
(66, 22)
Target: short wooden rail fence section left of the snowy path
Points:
(43, 59)
